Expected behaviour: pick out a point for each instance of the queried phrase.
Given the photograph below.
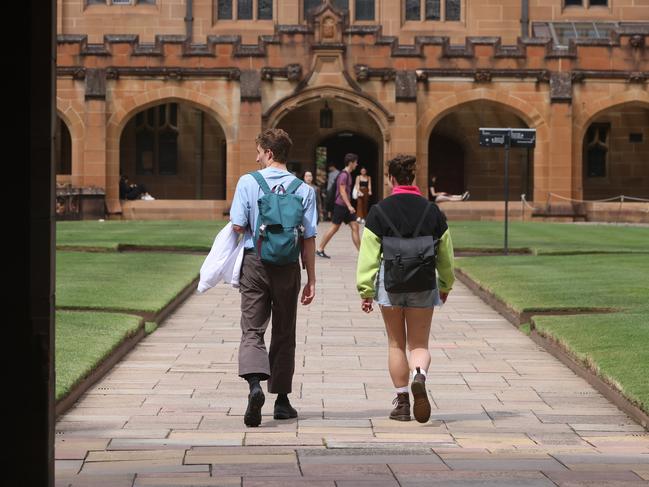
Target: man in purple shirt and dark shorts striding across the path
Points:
(343, 209)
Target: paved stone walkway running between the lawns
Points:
(505, 412)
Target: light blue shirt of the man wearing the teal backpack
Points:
(245, 212)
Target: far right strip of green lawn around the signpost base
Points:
(548, 238)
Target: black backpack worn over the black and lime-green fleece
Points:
(409, 262)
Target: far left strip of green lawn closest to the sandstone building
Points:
(187, 235)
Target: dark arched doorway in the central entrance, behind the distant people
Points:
(336, 146)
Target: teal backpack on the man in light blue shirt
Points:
(279, 228)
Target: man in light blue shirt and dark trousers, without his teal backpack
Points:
(269, 289)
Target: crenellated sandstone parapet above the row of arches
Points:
(366, 55)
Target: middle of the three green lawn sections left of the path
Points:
(139, 281)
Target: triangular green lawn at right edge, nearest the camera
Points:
(616, 346)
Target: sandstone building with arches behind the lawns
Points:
(173, 92)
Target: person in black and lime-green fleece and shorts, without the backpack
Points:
(407, 315)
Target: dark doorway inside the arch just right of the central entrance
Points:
(446, 162)
